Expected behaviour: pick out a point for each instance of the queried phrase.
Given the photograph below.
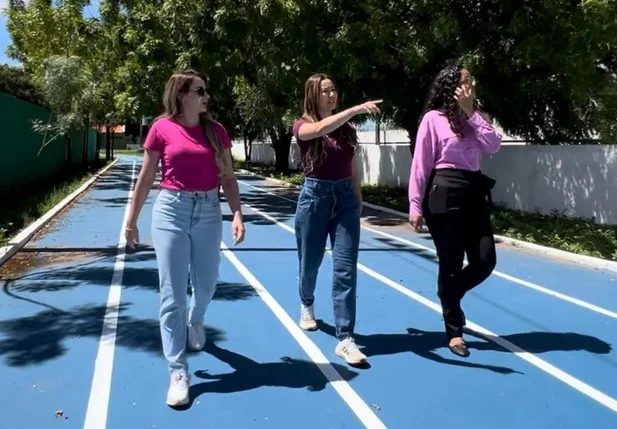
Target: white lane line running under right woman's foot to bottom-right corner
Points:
(552, 370)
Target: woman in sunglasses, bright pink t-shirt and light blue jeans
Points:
(194, 152)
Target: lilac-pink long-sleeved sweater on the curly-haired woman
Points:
(438, 147)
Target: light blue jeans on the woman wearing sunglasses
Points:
(187, 234)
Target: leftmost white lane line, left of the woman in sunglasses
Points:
(98, 404)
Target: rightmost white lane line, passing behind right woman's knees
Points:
(525, 283)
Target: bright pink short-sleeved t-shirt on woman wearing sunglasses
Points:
(187, 157)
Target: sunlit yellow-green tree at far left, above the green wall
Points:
(54, 43)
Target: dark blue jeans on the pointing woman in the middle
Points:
(330, 209)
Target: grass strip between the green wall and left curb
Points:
(36, 199)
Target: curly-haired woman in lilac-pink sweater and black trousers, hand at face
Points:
(447, 188)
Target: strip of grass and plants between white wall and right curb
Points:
(576, 235)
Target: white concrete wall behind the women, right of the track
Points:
(577, 180)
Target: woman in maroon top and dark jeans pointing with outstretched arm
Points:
(330, 204)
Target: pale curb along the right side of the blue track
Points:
(588, 261)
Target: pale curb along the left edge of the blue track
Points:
(22, 238)
